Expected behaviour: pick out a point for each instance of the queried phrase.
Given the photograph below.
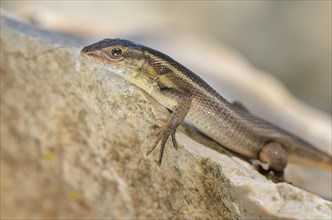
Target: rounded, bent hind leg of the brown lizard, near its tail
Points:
(274, 155)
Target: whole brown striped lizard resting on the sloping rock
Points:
(190, 98)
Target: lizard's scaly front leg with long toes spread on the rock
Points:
(169, 128)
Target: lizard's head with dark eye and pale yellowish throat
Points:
(119, 55)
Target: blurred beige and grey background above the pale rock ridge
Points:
(290, 39)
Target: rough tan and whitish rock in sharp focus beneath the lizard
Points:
(73, 143)
